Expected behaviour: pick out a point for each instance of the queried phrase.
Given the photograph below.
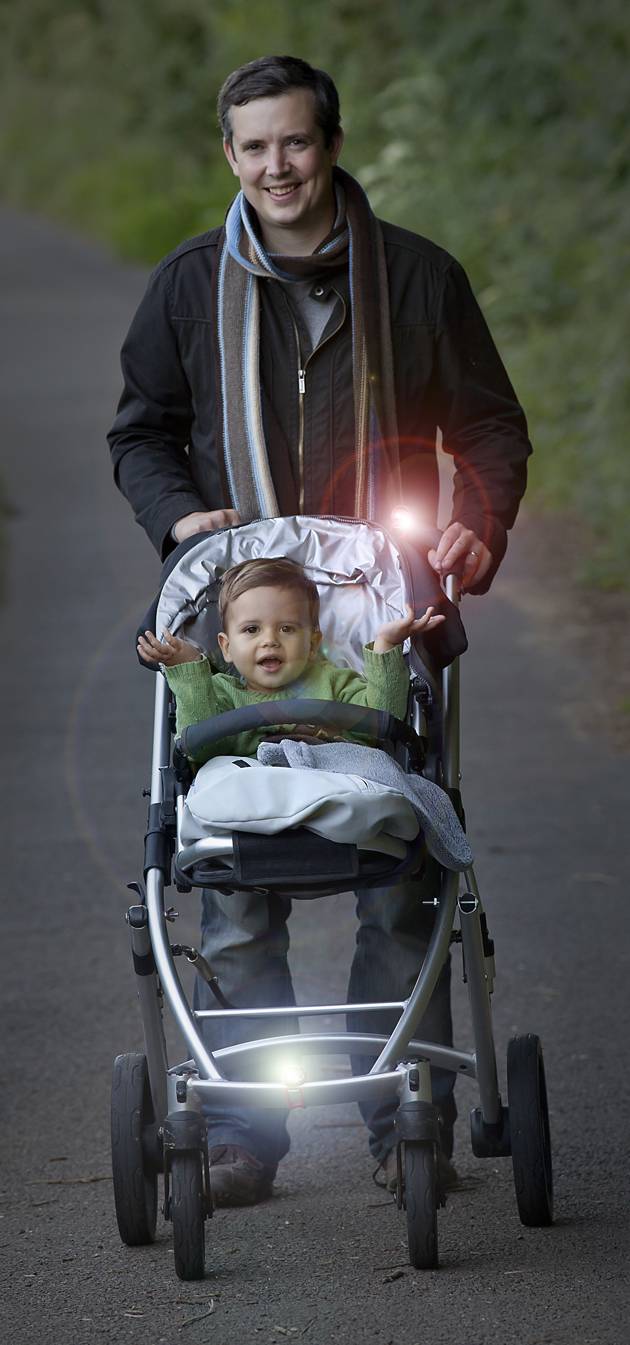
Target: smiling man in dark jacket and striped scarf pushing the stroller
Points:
(302, 360)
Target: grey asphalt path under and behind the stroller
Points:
(547, 804)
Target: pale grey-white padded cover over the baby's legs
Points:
(341, 808)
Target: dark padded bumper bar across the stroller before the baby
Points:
(329, 715)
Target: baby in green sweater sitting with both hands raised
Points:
(270, 613)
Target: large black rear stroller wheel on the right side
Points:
(530, 1132)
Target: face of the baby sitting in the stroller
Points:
(270, 638)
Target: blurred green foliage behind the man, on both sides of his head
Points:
(501, 131)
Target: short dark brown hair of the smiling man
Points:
(273, 76)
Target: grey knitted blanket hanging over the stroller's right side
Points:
(444, 832)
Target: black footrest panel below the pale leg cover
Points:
(297, 856)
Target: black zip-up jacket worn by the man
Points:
(448, 376)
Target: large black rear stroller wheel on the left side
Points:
(135, 1180)
